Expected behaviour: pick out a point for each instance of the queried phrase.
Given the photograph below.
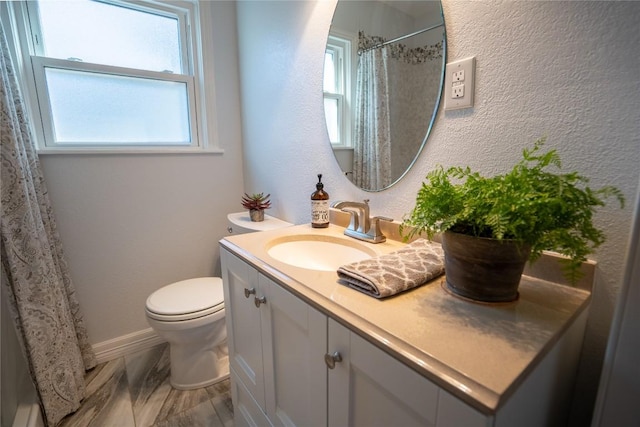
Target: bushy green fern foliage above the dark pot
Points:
(529, 204)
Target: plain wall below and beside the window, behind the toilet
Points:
(131, 224)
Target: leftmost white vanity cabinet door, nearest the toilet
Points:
(243, 324)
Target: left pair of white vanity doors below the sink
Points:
(276, 348)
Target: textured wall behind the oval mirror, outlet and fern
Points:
(567, 70)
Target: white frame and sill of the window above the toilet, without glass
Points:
(196, 52)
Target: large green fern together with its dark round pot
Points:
(492, 226)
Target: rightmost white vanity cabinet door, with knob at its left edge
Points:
(370, 388)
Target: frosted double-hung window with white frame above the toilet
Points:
(115, 75)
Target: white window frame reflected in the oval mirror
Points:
(343, 45)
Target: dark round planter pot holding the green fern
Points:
(483, 269)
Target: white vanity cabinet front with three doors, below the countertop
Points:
(291, 365)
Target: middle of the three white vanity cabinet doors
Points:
(294, 344)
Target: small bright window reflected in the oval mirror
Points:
(337, 90)
